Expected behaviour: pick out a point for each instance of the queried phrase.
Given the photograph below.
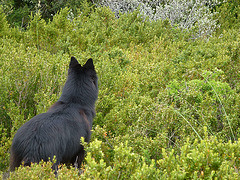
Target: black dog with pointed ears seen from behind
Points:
(58, 131)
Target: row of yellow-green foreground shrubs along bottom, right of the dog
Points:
(208, 158)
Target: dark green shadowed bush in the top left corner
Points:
(18, 12)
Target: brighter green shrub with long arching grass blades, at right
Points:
(204, 103)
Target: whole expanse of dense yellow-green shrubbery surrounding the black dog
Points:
(169, 103)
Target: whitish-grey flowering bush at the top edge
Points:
(184, 13)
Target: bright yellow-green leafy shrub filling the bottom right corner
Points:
(203, 160)
